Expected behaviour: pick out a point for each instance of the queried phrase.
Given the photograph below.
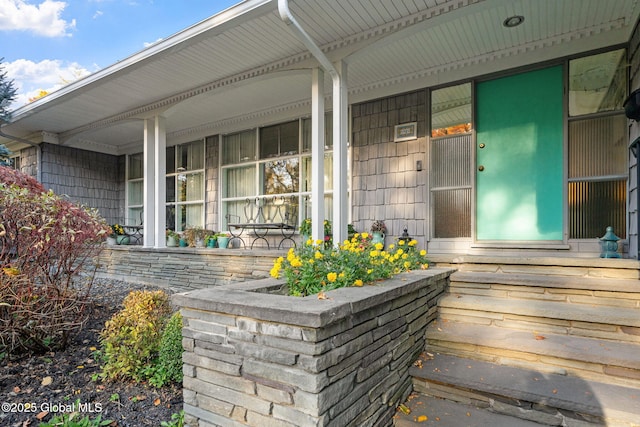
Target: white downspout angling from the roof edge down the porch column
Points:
(340, 220)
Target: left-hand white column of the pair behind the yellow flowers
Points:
(317, 154)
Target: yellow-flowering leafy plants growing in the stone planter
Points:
(313, 267)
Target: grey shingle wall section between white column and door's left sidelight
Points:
(386, 185)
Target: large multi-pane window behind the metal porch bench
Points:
(273, 160)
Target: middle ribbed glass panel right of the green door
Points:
(598, 147)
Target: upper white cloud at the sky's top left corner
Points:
(43, 19)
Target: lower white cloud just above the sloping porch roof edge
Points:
(31, 77)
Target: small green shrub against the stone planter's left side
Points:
(168, 367)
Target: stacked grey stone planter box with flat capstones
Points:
(254, 356)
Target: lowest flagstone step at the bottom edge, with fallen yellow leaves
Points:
(432, 411)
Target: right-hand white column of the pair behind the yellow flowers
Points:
(340, 129)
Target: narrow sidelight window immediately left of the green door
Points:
(451, 157)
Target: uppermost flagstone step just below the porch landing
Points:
(577, 290)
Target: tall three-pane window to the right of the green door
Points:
(597, 169)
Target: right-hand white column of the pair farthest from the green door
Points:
(160, 182)
